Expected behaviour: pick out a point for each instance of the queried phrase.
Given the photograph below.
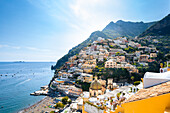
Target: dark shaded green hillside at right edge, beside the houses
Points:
(160, 32)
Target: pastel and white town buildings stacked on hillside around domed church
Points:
(88, 81)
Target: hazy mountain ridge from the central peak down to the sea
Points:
(116, 29)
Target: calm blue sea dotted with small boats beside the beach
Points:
(18, 80)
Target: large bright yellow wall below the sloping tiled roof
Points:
(156, 104)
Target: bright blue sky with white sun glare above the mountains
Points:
(45, 30)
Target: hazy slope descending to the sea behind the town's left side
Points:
(77, 49)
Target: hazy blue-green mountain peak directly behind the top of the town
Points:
(128, 29)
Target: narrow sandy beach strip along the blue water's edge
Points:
(32, 106)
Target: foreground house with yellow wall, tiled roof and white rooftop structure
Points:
(154, 98)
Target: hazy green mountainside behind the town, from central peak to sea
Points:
(112, 30)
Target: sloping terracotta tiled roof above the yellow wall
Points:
(154, 91)
